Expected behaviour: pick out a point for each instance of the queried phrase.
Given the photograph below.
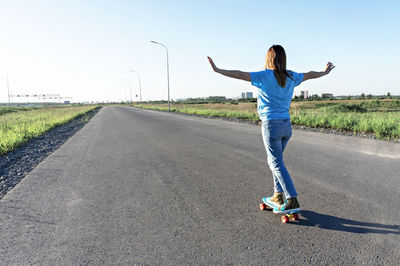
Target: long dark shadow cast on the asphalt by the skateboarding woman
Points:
(310, 218)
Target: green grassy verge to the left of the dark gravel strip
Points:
(17, 125)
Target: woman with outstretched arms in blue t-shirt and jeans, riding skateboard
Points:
(275, 90)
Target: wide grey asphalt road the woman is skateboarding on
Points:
(147, 187)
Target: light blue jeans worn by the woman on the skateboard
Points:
(276, 134)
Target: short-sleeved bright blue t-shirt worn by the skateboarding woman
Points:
(273, 101)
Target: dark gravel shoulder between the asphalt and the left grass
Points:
(15, 165)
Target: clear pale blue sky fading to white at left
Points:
(85, 49)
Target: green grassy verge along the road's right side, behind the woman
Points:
(378, 117)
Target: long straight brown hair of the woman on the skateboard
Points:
(276, 60)
